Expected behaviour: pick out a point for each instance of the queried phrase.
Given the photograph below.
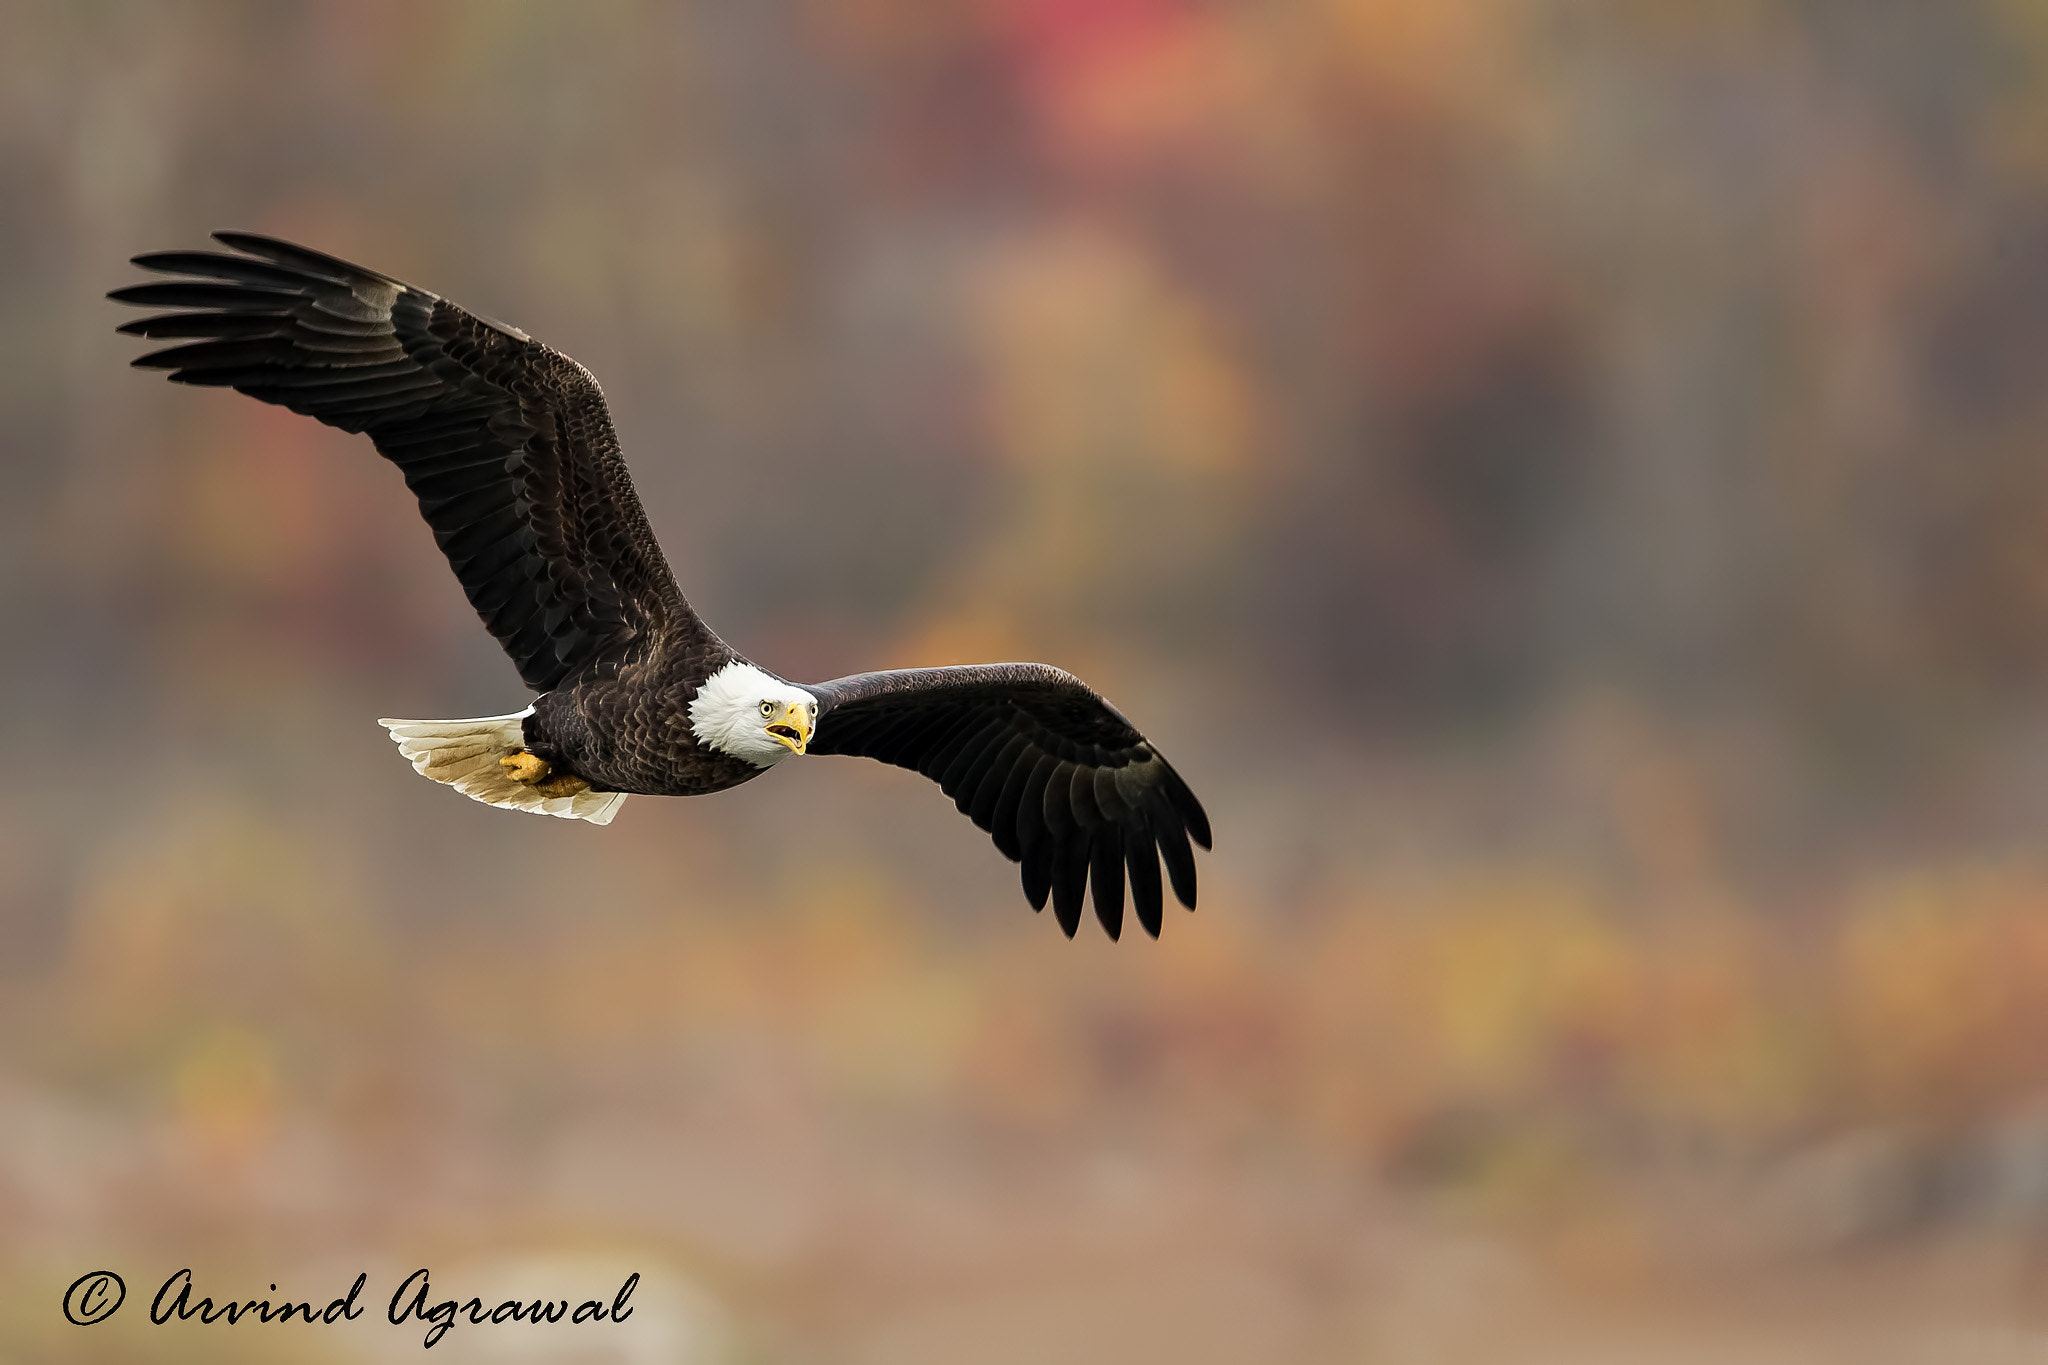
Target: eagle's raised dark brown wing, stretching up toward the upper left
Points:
(507, 443)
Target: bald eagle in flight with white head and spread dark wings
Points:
(511, 451)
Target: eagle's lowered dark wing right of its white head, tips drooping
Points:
(1033, 756)
